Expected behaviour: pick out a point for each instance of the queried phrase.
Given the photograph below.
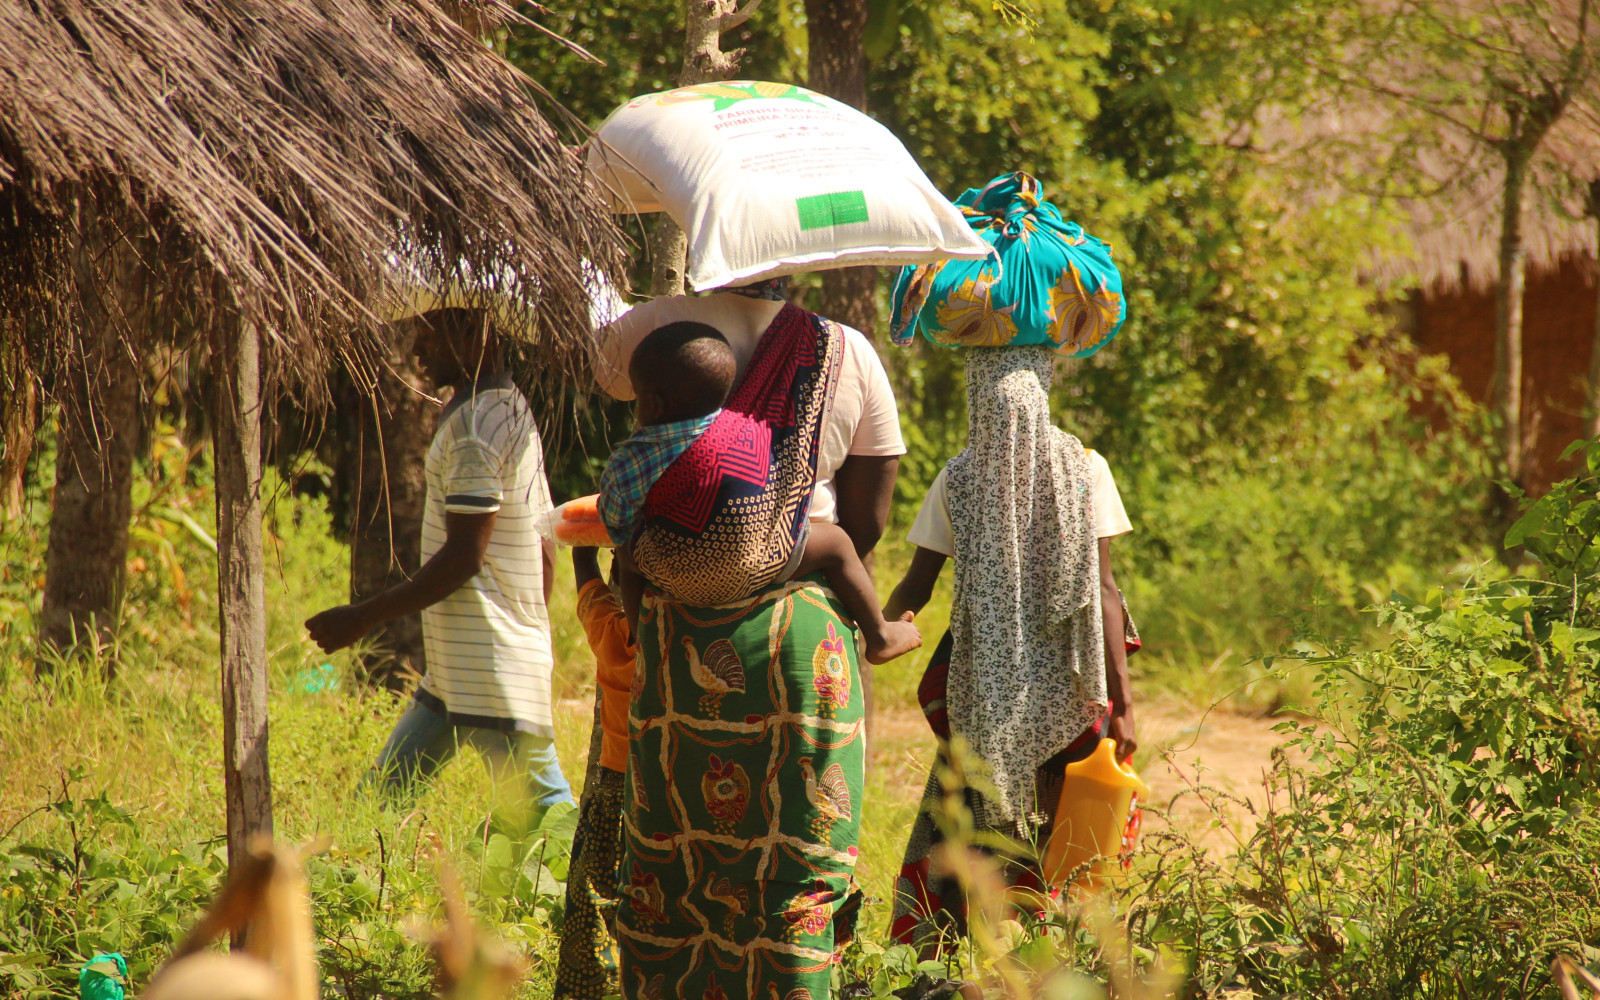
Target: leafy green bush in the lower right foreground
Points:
(1431, 838)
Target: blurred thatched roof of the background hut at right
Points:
(1370, 132)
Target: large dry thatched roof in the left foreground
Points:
(265, 154)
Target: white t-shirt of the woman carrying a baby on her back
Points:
(863, 422)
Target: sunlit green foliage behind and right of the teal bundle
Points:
(1266, 431)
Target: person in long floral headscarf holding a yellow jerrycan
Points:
(1036, 666)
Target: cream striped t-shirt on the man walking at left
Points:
(489, 644)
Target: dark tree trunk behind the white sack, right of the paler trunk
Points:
(838, 66)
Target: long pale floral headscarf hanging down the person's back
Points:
(1028, 666)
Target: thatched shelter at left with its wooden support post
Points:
(231, 174)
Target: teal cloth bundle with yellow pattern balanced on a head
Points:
(1049, 284)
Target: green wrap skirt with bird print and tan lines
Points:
(743, 798)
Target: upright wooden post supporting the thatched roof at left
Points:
(242, 614)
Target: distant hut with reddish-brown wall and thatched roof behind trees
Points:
(1444, 266)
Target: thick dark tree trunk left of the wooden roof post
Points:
(87, 554)
